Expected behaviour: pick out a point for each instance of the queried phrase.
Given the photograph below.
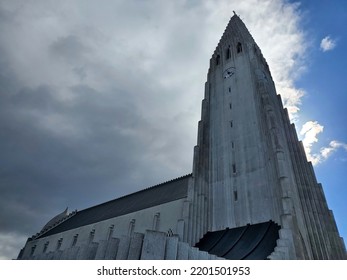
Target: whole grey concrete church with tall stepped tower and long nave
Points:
(252, 194)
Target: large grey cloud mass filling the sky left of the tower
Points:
(91, 107)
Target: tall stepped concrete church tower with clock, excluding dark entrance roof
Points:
(249, 168)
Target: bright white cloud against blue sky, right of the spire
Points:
(284, 50)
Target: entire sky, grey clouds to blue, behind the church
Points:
(99, 99)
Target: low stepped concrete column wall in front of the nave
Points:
(152, 245)
